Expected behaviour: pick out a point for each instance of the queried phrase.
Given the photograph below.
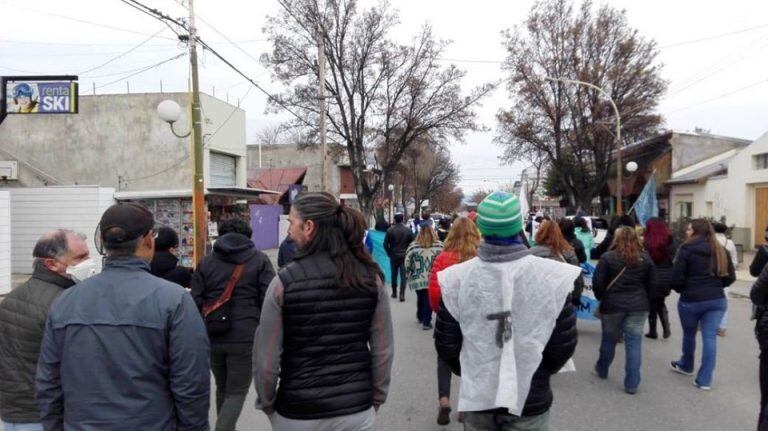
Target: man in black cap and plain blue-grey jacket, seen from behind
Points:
(124, 349)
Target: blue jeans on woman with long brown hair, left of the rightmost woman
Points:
(631, 324)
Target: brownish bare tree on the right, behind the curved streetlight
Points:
(571, 125)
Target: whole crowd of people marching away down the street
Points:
(134, 346)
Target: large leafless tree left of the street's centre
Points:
(381, 95)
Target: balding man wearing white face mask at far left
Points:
(61, 259)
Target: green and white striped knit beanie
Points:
(499, 215)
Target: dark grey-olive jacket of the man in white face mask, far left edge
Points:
(22, 321)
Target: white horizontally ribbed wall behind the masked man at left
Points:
(35, 211)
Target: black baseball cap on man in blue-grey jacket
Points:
(124, 222)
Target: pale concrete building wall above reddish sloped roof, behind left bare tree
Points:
(289, 156)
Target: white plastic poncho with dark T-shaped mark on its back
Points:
(533, 291)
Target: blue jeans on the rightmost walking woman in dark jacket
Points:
(708, 315)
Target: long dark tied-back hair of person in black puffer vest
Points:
(339, 231)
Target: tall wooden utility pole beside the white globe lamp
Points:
(199, 216)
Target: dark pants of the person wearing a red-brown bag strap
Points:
(231, 366)
